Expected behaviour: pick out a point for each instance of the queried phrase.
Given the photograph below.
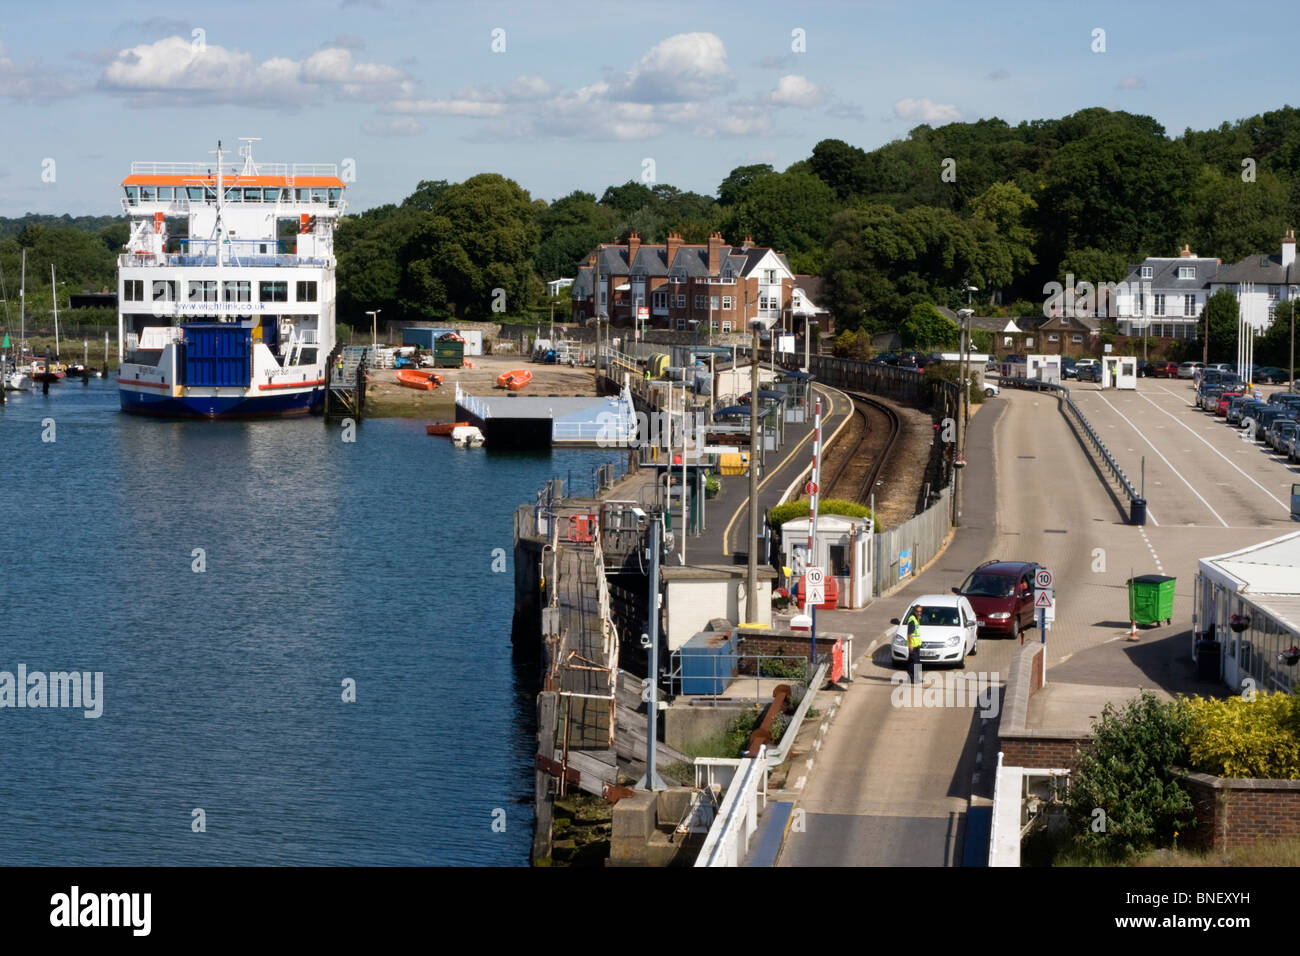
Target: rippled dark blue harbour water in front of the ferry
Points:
(223, 690)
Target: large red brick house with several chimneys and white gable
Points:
(679, 283)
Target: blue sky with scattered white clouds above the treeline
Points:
(561, 97)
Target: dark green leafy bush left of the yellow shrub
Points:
(1129, 776)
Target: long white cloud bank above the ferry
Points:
(175, 70)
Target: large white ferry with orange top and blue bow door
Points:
(232, 321)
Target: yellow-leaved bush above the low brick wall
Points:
(1256, 738)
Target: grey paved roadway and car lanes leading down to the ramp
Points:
(890, 786)
